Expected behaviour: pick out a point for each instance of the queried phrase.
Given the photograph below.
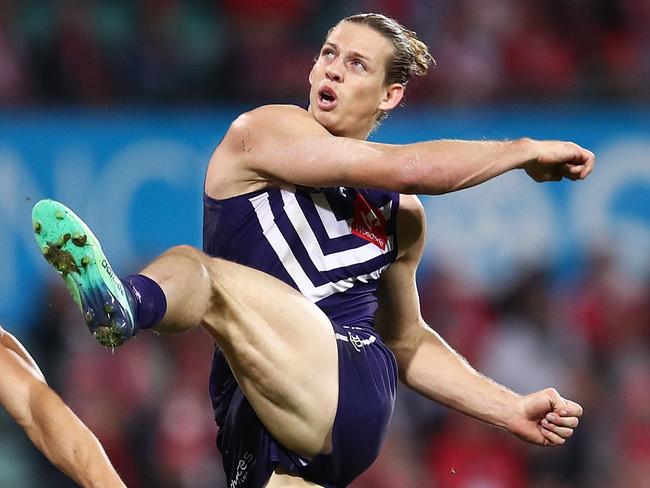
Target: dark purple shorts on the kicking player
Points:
(367, 382)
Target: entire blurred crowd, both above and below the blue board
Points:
(589, 336)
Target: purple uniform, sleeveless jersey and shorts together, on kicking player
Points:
(331, 244)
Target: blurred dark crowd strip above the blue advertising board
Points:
(92, 52)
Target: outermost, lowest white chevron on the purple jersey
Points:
(292, 265)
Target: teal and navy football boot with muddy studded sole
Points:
(75, 253)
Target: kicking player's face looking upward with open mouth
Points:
(348, 86)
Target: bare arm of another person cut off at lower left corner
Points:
(49, 423)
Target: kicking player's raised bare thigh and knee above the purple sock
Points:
(280, 346)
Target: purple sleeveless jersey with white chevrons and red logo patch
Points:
(331, 244)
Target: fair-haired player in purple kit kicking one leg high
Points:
(314, 307)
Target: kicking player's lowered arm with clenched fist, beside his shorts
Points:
(429, 366)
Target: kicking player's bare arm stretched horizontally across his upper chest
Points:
(286, 144)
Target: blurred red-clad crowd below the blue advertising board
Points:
(590, 337)
